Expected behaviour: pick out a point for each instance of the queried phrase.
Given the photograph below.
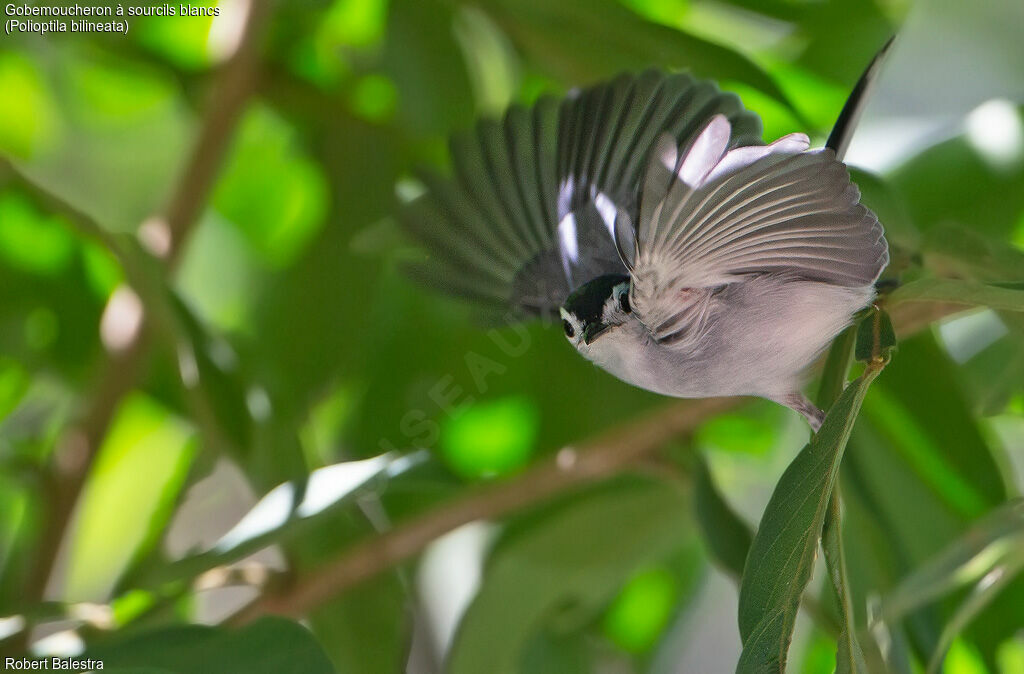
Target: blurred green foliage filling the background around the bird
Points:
(294, 397)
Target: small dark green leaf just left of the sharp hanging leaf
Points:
(728, 535)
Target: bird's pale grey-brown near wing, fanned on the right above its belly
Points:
(711, 217)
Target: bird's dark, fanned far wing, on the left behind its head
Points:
(529, 214)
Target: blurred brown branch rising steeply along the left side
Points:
(119, 372)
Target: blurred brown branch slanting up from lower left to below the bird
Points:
(571, 468)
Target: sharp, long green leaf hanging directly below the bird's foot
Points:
(782, 557)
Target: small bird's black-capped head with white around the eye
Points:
(596, 309)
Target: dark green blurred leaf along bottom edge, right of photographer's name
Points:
(270, 646)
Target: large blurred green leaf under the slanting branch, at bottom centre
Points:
(567, 564)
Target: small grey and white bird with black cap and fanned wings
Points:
(679, 252)
